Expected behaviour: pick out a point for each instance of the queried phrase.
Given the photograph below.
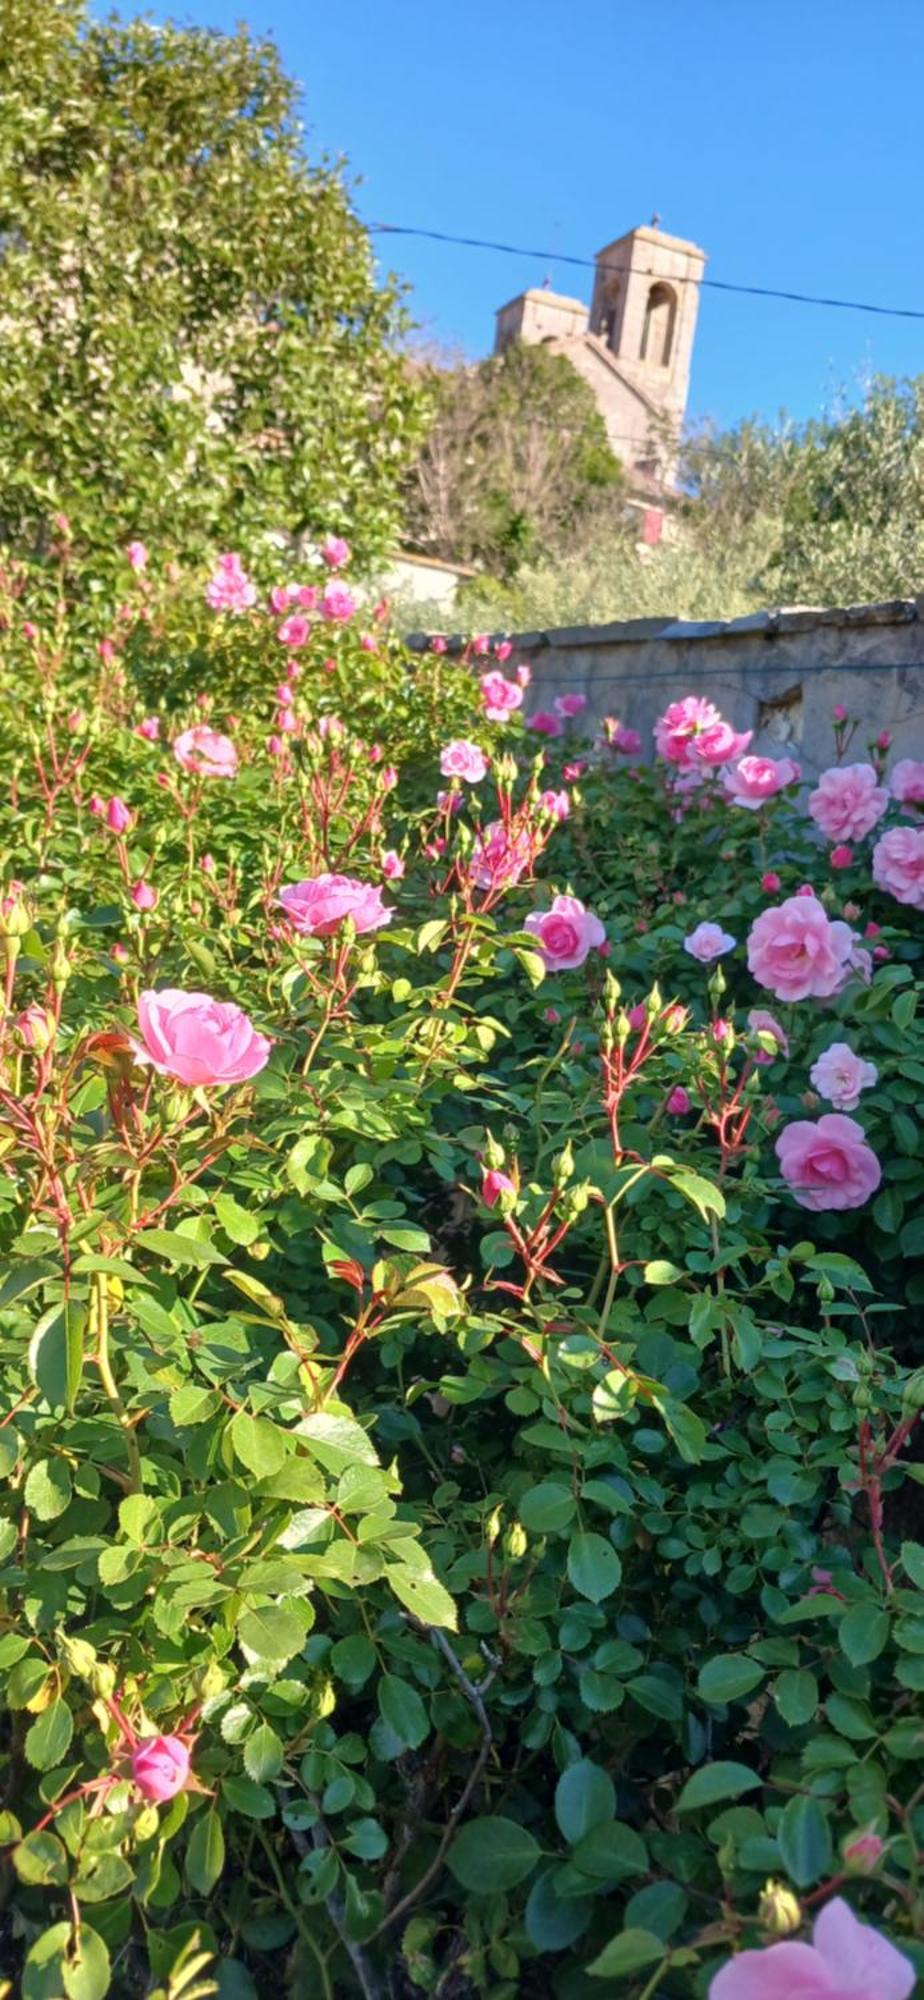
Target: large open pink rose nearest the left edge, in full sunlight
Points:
(197, 1039)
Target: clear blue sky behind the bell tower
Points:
(781, 135)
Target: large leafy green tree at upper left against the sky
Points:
(193, 341)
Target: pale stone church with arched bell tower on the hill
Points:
(633, 347)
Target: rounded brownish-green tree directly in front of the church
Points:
(515, 465)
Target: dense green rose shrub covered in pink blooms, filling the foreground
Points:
(461, 1513)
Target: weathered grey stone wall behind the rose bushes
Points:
(777, 673)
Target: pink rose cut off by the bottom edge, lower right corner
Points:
(847, 1961)
